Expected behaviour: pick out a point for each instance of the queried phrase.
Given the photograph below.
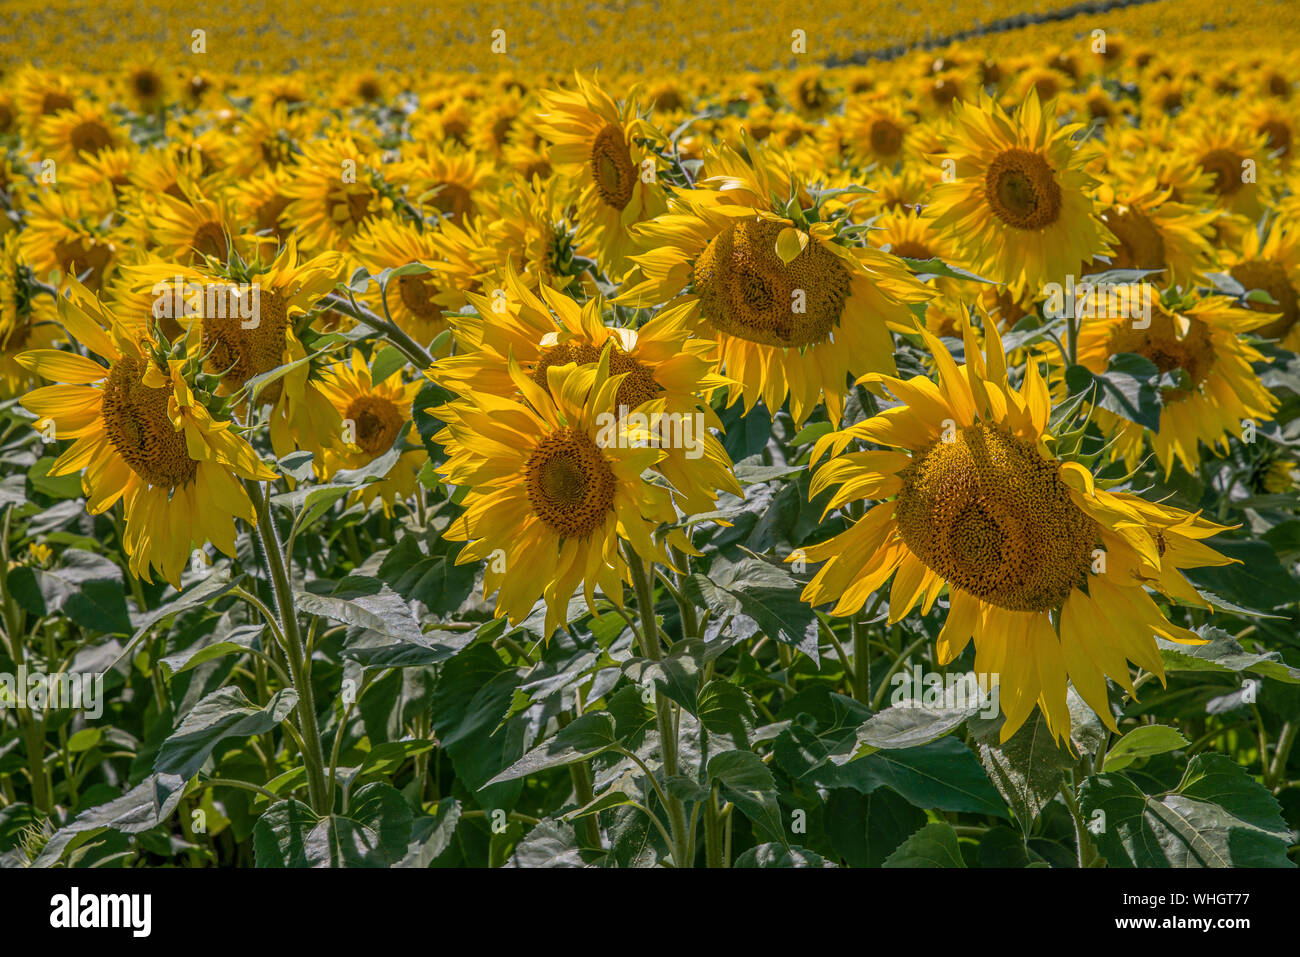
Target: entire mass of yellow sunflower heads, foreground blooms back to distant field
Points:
(592, 282)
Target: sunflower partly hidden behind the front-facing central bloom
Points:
(664, 373)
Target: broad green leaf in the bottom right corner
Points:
(1217, 817)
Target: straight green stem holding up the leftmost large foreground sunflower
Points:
(300, 665)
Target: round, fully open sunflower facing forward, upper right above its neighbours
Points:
(1020, 206)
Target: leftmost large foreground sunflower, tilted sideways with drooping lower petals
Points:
(144, 436)
